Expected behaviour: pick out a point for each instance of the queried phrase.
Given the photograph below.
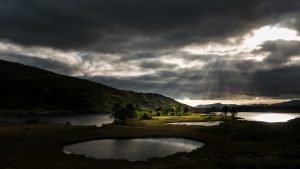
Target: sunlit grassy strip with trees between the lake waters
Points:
(137, 115)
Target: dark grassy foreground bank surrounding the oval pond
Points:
(233, 144)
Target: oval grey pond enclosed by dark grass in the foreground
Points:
(139, 149)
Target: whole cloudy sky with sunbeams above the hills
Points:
(195, 51)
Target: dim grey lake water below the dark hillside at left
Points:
(73, 119)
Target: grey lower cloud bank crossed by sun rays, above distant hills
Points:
(280, 83)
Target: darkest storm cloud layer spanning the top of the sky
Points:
(112, 25)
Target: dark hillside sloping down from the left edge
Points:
(26, 89)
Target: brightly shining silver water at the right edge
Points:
(268, 117)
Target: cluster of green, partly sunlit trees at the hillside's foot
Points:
(120, 112)
